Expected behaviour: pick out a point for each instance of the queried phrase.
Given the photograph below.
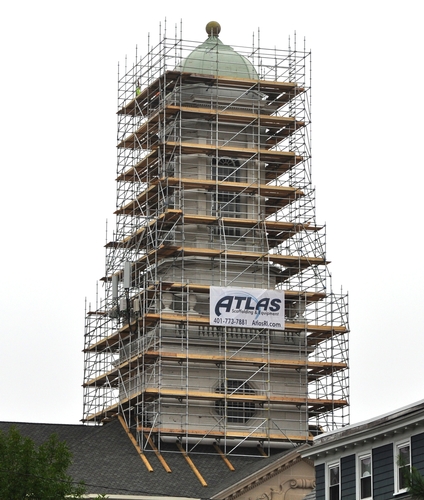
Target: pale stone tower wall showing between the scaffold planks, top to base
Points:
(170, 413)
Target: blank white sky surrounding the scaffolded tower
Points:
(58, 133)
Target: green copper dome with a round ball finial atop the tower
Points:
(213, 57)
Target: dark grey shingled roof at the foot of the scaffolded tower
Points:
(106, 460)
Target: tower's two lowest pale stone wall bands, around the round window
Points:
(210, 379)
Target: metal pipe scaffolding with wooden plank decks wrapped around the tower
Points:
(214, 189)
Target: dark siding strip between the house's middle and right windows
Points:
(383, 472)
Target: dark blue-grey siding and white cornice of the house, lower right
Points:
(381, 438)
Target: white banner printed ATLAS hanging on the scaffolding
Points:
(246, 307)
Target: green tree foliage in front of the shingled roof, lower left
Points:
(35, 472)
